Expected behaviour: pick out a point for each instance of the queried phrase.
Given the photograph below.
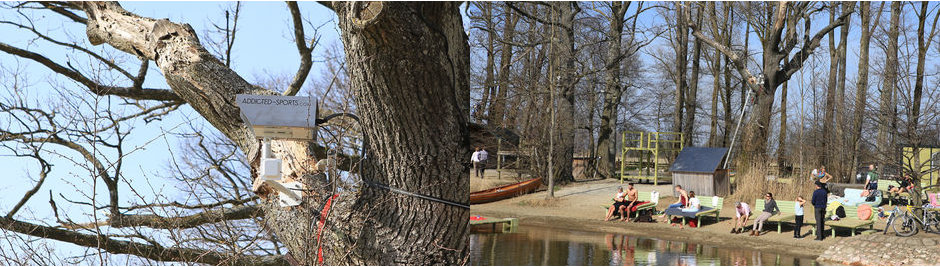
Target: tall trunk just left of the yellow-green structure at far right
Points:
(887, 109)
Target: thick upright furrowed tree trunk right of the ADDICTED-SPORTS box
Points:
(417, 116)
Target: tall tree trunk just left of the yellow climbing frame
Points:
(613, 90)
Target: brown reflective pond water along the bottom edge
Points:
(547, 246)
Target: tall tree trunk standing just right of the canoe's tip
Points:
(563, 78)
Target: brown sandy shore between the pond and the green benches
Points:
(579, 205)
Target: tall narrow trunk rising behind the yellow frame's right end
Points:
(682, 51)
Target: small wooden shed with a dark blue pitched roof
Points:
(697, 169)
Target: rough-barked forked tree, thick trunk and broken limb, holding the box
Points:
(409, 65)
